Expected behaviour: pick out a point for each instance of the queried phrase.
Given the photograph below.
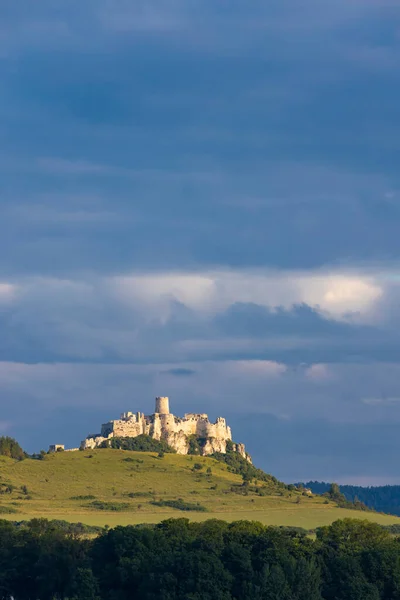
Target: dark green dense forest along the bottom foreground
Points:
(213, 560)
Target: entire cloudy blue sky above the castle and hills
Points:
(201, 199)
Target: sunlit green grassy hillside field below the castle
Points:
(64, 486)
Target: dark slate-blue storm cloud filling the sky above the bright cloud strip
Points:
(225, 152)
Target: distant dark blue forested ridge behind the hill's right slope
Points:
(384, 498)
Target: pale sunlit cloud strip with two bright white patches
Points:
(335, 293)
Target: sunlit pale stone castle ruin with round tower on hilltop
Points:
(175, 431)
